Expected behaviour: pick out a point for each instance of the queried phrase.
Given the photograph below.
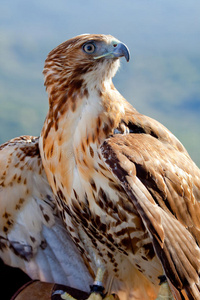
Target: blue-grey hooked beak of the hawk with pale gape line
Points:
(118, 50)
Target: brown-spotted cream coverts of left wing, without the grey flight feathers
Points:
(26, 199)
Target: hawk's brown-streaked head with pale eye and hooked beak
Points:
(86, 59)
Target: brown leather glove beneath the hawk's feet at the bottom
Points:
(38, 290)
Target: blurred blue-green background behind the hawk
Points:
(162, 79)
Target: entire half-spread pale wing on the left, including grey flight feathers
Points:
(32, 235)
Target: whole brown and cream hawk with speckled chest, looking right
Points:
(116, 182)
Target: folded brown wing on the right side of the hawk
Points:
(165, 191)
